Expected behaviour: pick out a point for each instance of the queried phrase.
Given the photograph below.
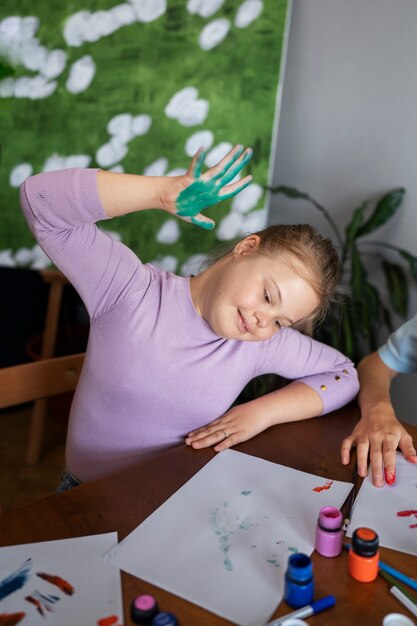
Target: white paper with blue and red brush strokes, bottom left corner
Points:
(66, 580)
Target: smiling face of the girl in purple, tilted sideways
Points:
(250, 296)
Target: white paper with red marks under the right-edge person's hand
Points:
(391, 511)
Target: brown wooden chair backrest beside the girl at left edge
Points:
(39, 380)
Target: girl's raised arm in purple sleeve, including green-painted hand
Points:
(62, 209)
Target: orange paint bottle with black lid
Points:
(364, 555)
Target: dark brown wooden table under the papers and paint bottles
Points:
(126, 498)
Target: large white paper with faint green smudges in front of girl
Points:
(222, 541)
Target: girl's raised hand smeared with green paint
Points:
(200, 191)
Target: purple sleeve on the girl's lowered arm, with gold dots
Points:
(298, 357)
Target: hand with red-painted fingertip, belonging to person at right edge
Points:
(379, 434)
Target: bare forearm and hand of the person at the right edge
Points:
(378, 433)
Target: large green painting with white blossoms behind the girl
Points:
(137, 87)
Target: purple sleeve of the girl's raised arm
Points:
(61, 209)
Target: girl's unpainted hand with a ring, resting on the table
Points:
(233, 427)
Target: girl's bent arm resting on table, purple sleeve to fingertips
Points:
(323, 380)
